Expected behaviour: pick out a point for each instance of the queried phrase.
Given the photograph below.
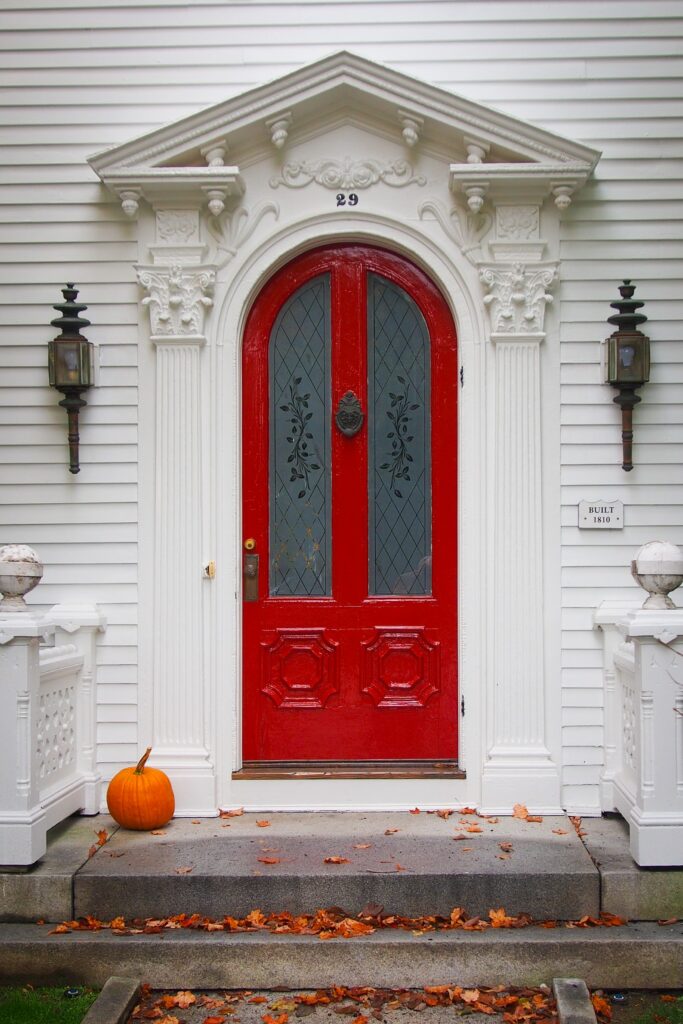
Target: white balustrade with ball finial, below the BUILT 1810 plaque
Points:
(644, 774)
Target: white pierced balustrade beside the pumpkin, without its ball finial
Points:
(48, 715)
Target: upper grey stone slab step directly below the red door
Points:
(217, 868)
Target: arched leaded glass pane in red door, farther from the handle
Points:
(399, 405)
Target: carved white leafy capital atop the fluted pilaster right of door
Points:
(518, 297)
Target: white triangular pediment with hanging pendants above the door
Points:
(205, 158)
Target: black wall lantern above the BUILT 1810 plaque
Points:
(628, 363)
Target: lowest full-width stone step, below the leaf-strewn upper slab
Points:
(643, 956)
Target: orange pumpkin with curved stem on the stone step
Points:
(141, 798)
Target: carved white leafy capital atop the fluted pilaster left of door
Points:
(178, 300)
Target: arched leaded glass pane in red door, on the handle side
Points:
(300, 488)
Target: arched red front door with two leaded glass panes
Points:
(350, 385)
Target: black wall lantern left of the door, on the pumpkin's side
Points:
(70, 364)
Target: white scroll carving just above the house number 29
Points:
(348, 175)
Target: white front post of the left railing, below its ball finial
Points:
(23, 825)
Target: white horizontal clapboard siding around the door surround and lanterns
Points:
(79, 77)
